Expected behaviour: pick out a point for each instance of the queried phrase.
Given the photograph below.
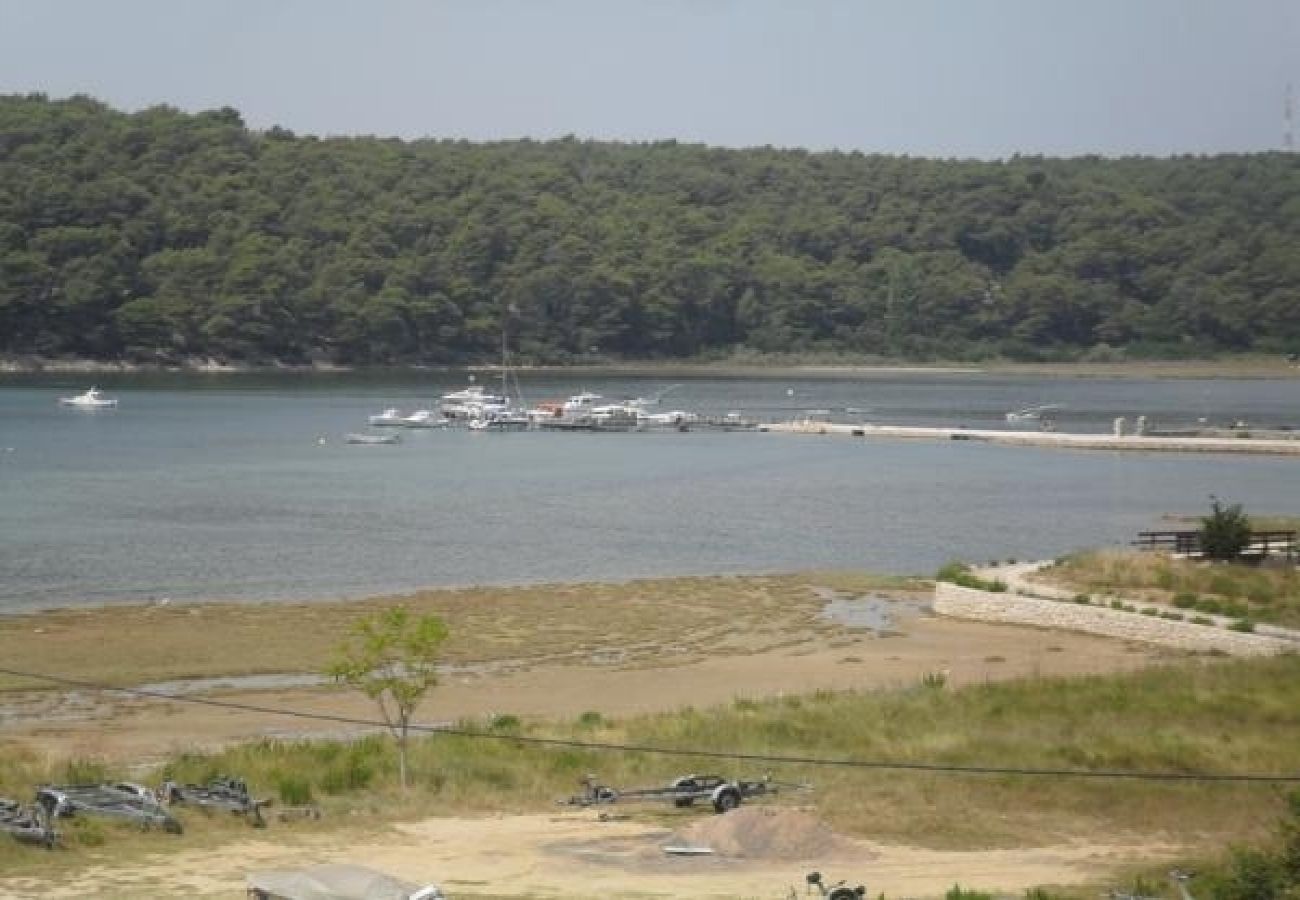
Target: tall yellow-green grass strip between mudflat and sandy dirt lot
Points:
(1201, 717)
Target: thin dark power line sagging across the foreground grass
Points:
(943, 769)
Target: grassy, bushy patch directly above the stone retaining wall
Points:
(1262, 594)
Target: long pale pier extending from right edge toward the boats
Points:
(1061, 440)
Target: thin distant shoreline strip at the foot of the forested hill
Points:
(1234, 367)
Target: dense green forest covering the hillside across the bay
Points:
(163, 236)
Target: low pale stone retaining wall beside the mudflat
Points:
(1016, 609)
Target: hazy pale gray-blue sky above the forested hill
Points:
(922, 77)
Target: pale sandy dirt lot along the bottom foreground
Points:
(575, 856)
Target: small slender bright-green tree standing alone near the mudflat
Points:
(392, 659)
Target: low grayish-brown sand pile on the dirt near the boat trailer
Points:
(762, 833)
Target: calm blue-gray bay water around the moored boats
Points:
(216, 487)
